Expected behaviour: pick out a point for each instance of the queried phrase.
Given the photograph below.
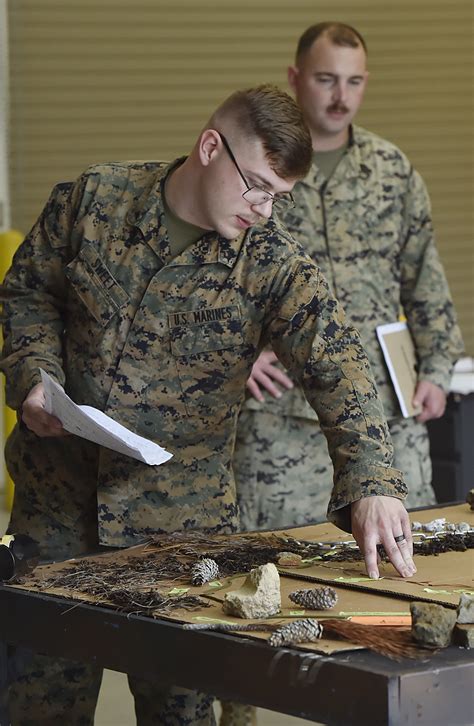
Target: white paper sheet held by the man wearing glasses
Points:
(96, 426)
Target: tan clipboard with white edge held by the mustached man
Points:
(399, 353)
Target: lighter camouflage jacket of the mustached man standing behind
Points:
(370, 232)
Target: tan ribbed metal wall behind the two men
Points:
(96, 80)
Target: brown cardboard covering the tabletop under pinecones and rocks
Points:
(439, 579)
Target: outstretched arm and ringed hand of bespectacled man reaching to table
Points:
(322, 350)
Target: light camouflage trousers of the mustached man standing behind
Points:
(283, 472)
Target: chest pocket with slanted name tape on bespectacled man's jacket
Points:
(94, 284)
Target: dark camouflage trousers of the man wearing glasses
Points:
(43, 691)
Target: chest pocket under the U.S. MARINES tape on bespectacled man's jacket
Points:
(212, 360)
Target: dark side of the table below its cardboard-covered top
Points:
(357, 687)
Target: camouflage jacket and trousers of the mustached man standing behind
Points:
(369, 229)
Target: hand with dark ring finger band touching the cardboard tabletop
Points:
(379, 520)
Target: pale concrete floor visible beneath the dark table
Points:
(115, 705)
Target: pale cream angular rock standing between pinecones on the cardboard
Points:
(259, 596)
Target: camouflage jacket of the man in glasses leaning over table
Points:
(165, 347)
